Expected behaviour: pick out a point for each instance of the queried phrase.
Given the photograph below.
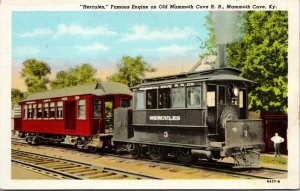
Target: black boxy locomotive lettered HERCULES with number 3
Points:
(191, 115)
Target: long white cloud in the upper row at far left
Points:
(76, 30)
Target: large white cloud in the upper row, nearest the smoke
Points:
(142, 32)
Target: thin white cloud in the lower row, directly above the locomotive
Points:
(172, 49)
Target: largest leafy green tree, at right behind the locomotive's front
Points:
(261, 55)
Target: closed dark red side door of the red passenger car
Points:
(70, 115)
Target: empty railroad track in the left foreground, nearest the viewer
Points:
(69, 169)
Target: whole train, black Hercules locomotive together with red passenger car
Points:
(189, 116)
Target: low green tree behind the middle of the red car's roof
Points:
(81, 74)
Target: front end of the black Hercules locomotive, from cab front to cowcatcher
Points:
(228, 126)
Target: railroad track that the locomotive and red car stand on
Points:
(260, 173)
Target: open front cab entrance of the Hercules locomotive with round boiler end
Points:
(225, 101)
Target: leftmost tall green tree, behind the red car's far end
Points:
(35, 74)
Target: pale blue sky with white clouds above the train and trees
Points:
(66, 39)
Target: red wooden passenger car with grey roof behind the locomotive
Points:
(73, 114)
